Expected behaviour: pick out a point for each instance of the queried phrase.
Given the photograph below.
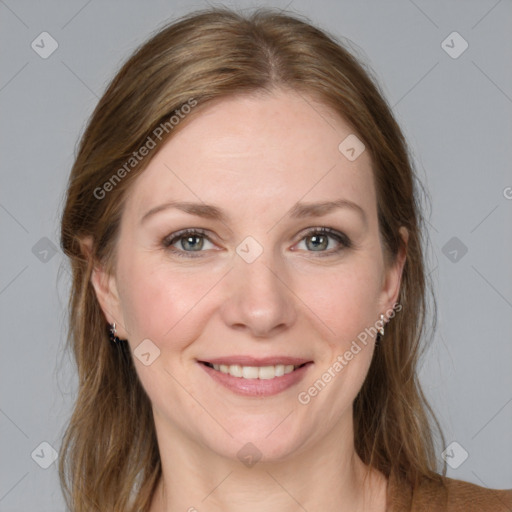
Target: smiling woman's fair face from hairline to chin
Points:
(280, 274)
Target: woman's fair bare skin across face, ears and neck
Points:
(254, 157)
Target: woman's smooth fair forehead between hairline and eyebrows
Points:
(256, 154)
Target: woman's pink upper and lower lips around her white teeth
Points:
(257, 387)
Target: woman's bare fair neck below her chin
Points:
(319, 478)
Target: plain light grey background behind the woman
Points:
(456, 113)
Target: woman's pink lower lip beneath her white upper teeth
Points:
(257, 387)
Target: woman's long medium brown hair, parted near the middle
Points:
(109, 456)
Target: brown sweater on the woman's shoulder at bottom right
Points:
(453, 496)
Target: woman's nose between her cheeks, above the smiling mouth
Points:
(258, 300)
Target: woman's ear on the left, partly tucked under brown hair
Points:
(105, 287)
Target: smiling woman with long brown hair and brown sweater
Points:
(248, 284)
